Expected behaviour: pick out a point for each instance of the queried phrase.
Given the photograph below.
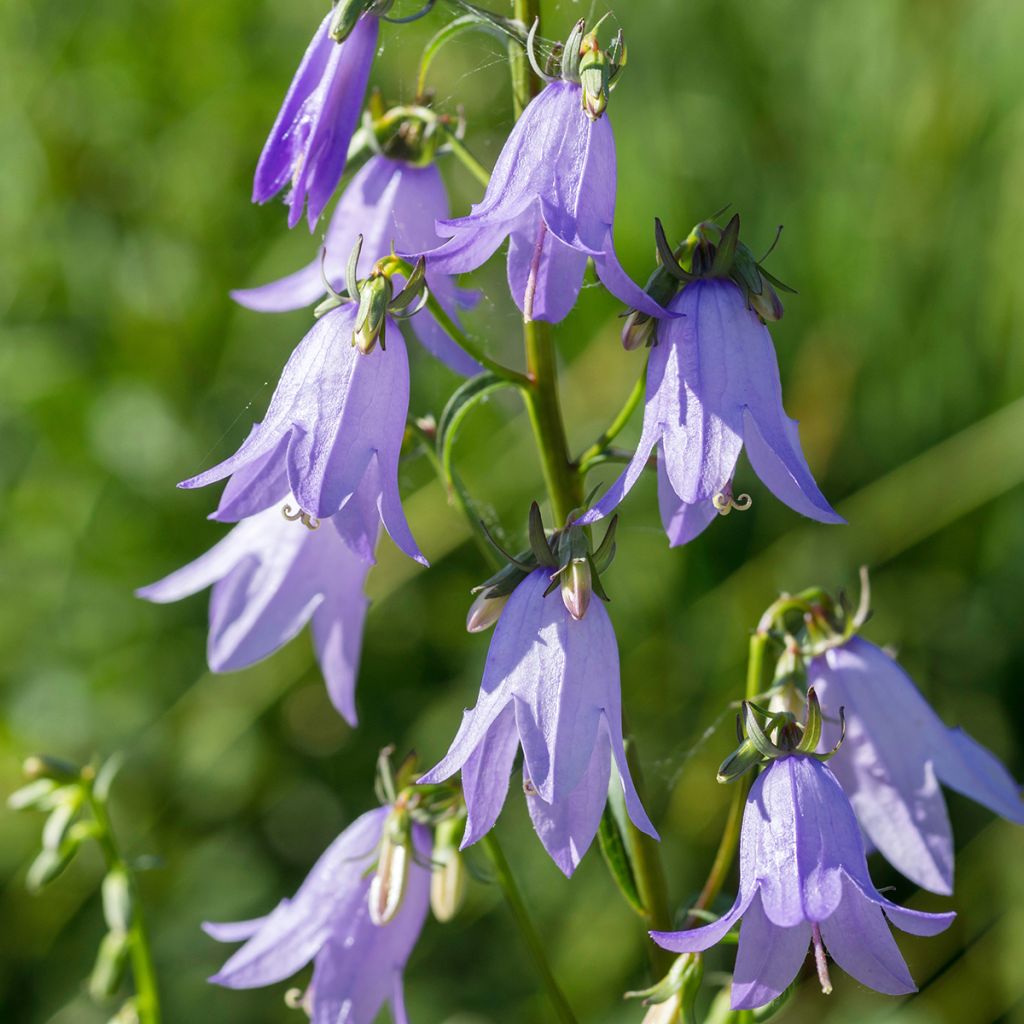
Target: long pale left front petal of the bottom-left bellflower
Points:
(297, 929)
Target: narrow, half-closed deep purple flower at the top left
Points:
(309, 144)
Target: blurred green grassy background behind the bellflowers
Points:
(888, 137)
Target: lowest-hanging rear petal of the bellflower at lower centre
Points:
(568, 827)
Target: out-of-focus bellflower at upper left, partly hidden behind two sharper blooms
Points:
(391, 204)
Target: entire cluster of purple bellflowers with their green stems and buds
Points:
(316, 484)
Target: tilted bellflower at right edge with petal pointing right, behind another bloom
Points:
(898, 756)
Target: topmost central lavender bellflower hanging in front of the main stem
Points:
(552, 193)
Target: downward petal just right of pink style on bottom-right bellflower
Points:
(859, 940)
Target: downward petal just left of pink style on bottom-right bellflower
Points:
(767, 960)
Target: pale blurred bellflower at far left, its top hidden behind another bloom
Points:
(270, 577)
